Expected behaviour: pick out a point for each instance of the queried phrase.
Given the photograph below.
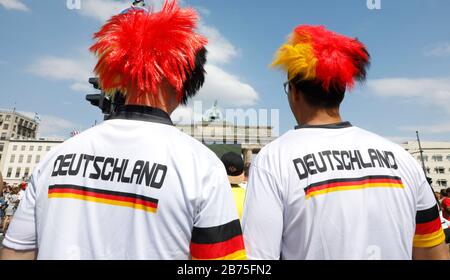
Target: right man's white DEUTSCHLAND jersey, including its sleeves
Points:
(337, 192)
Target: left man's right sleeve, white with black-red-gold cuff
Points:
(217, 233)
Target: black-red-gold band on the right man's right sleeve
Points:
(429, 231)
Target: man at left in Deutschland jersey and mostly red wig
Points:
(134, 187)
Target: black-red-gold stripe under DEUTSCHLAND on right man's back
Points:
(350, 184)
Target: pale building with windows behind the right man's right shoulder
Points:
(436, 156)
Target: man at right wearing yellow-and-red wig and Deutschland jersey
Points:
(328, 189)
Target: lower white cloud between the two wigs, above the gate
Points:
(226, 88)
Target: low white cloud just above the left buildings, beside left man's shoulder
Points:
(52, 126)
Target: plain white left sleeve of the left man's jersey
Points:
(21, 234)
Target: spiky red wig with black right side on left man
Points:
(138, 50)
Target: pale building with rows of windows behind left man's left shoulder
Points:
(21, 157)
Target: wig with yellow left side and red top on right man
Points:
(314, 53)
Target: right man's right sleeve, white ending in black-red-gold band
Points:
(429, 231)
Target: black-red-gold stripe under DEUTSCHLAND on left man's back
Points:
(103, 196)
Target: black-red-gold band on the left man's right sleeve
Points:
(223, 242)
